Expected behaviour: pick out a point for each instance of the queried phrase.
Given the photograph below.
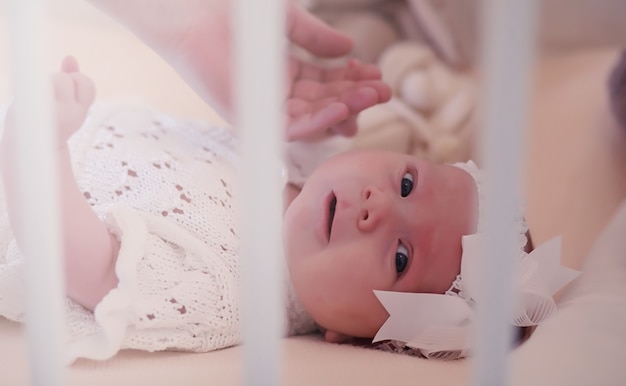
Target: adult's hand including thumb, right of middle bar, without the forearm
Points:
(325, 101)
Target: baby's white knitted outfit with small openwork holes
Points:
(167, 189)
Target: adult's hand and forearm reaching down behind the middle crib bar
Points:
(194, 37)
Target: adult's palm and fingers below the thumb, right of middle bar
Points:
(325, 102)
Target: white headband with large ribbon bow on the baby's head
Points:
(440, 325)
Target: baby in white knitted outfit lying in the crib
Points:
(151, 242)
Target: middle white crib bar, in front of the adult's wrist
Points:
(259, 91)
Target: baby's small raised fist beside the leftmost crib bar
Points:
(73, 94)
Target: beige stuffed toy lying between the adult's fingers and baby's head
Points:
(430, 113)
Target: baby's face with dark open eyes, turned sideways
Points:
(370, 220)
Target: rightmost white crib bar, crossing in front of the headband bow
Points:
(508, 37)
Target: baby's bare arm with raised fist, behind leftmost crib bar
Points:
(89, 249)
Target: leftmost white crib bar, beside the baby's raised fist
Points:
(39, 209)
